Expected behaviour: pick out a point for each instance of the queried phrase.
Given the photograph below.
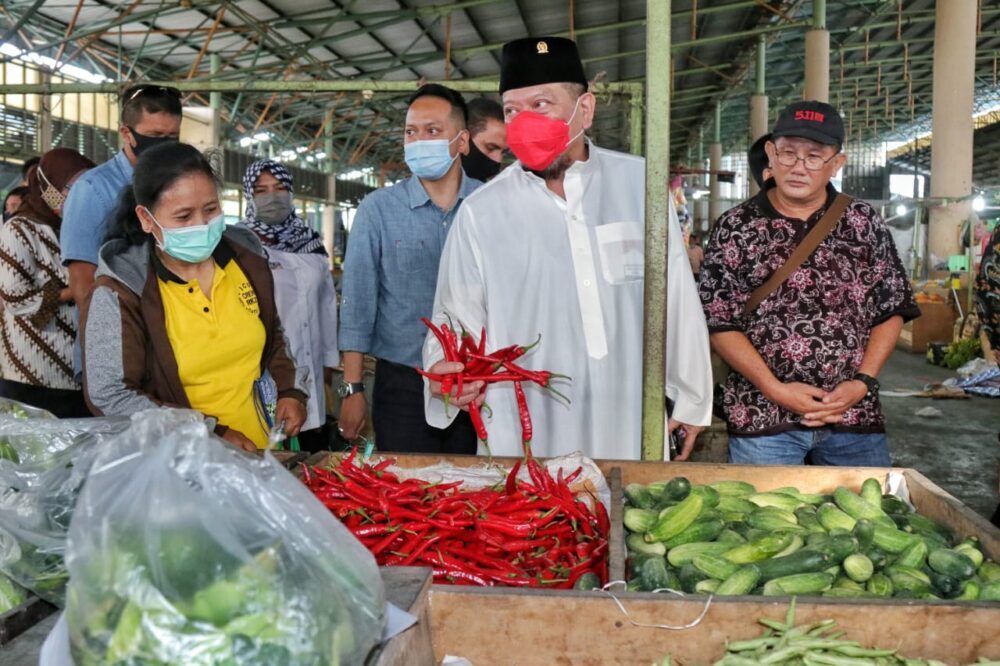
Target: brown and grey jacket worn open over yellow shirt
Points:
(128, 362)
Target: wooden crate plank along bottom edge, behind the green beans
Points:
(494, 626)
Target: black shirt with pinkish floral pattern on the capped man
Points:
(815, 327)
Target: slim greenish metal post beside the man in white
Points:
(654, 330)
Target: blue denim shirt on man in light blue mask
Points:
(390, 271)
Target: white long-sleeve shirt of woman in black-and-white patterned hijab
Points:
(307, 306)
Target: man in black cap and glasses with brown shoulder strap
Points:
(806, 336)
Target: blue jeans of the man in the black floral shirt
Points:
(847, 449)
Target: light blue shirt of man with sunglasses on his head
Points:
(91, 201)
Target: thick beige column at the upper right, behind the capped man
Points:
(952, 129)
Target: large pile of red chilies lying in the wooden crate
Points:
(532, 534)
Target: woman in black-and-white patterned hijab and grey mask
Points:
(306, 298)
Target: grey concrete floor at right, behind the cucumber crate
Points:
(959, 452)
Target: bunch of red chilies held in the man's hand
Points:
(479, 366)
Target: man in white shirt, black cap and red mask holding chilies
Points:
(554, 245)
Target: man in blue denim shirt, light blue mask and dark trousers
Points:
(390, 274)
